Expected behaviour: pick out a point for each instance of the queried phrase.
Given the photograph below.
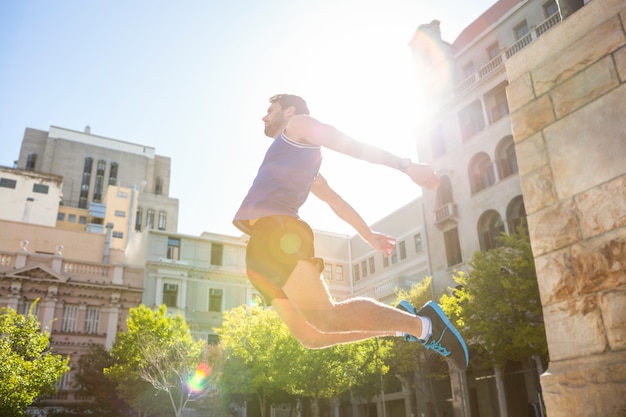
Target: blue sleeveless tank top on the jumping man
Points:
(283, 182)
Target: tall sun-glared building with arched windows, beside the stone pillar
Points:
(469, 142)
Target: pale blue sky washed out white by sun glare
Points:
(192, 79)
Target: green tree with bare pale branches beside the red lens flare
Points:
(160, 351)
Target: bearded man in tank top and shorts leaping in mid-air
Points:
(280, 258)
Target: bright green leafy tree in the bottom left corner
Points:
(28, 368)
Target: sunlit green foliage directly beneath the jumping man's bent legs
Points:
(262, 358)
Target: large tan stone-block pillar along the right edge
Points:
(567, 95)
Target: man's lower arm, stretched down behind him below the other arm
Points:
(346, 212)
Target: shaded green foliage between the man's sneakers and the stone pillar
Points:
(497, 305)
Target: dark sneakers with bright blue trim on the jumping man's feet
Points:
(444, 338)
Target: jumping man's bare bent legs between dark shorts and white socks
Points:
(308, 296)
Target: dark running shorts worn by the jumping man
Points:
(276, 245)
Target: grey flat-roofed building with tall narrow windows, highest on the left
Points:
(90, 164)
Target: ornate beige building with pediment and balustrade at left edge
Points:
(76, 296)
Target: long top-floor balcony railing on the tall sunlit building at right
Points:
(497, 62)
